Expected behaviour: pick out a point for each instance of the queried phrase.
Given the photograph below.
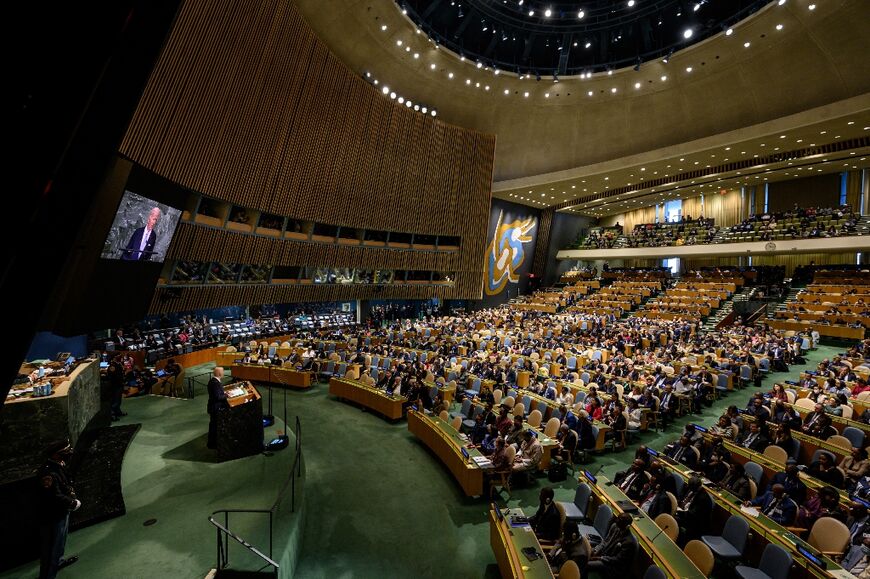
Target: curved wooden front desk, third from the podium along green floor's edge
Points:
(445, 442)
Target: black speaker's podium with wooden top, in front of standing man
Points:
(240, 424)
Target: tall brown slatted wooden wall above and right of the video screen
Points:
(247, 105)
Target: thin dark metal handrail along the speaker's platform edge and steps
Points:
(224, 532)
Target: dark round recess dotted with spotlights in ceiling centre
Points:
(555, 39)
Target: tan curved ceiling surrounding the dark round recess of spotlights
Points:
(782, 61)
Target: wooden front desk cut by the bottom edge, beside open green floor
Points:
(508, 540)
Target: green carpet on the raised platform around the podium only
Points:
(169, 475)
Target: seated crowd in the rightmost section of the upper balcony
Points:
(798, 223)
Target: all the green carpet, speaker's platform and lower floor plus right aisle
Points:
(377, 502)
